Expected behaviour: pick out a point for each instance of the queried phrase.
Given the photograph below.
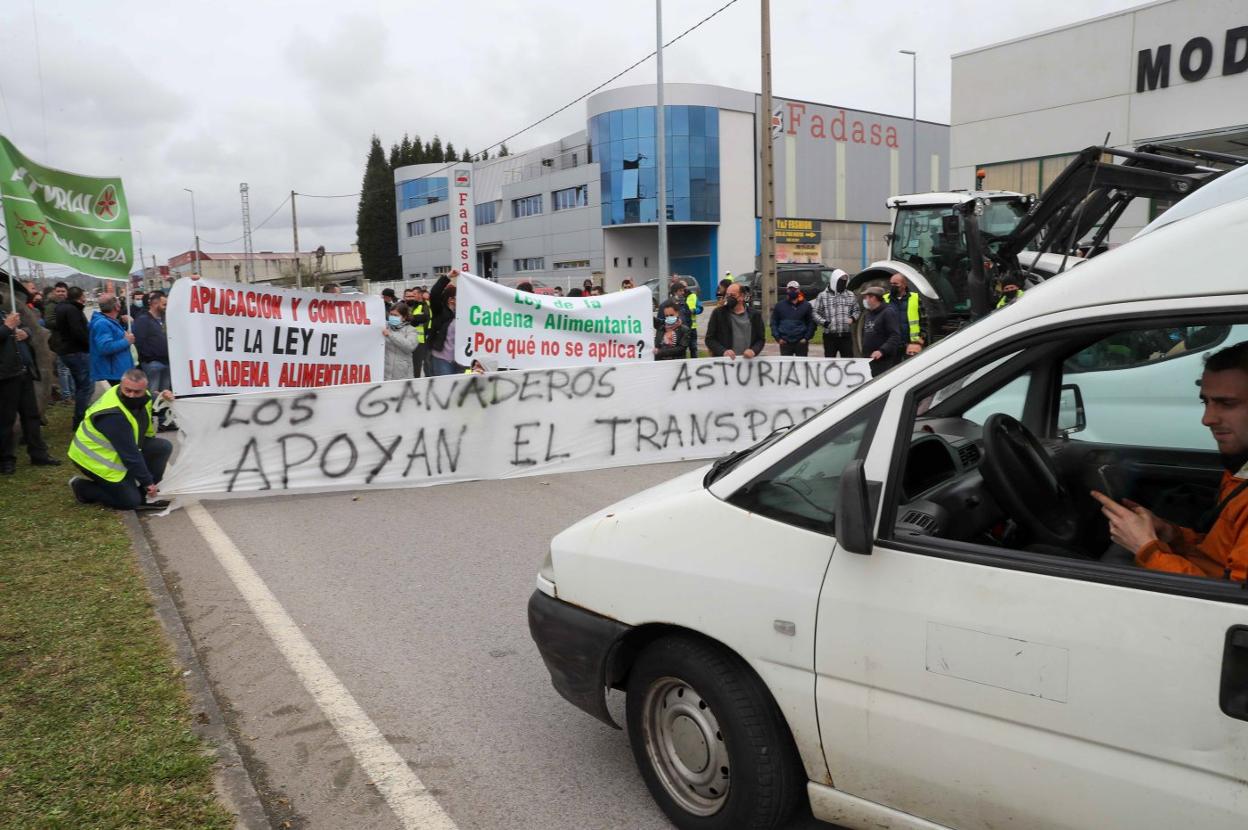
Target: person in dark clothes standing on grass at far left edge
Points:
(18, 375)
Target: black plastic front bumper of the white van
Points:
(576, 646)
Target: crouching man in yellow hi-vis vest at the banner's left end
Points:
(118, 451)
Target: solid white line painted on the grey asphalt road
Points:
(401, 788)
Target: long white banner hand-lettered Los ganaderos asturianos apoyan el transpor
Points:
(462, 427)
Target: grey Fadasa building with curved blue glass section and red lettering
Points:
(587, 205)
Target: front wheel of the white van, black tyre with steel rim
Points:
(709, 741)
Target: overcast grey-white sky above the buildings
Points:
(285, 95)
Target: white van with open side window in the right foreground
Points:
(899, 610)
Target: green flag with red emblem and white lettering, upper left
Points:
(54, 217)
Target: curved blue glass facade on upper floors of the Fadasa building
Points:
(623, 144)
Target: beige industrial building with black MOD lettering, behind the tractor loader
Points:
(1165, 73)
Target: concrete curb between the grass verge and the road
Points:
(234, 782)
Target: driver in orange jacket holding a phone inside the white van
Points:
(1222, 552)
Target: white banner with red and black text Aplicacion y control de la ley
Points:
(232, 338)
